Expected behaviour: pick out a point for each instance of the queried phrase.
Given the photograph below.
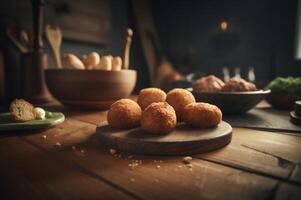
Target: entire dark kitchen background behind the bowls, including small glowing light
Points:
(200, 37)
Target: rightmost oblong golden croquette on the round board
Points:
(202, 115)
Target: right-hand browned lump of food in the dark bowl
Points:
(238, 85)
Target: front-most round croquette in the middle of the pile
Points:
(159, 118)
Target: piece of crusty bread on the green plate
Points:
(22, 110)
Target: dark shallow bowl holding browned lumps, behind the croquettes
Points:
(232, 102)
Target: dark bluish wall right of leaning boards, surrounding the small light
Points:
(261, 33)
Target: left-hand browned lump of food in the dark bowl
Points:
(208, 84)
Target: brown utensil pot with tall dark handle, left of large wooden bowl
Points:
(33, 63)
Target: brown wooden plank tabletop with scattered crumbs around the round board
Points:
(68, 162)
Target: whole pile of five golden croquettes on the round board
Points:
(158, 113)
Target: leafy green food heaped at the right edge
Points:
(288, 85)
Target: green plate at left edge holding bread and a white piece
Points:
(7, 124)
